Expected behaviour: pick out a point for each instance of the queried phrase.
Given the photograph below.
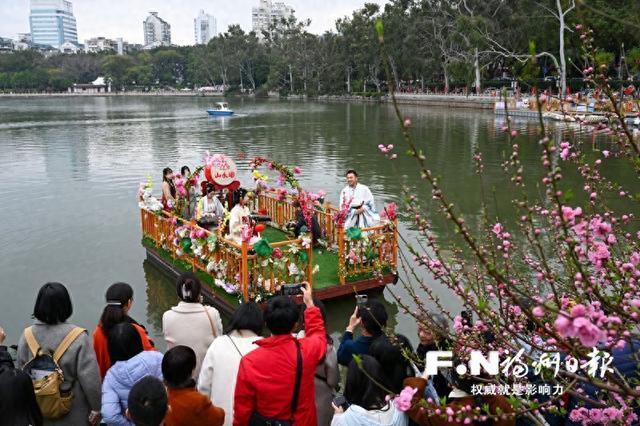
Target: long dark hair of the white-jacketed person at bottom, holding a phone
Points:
(361, 389)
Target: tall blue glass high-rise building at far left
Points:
(52, 23)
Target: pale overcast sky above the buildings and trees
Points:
(123, 18)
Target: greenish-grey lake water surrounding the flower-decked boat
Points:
(70, 169)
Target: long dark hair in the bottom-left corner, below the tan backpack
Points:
(18, 406)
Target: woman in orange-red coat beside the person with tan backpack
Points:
(119, 300)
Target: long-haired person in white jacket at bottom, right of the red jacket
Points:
(368, 406)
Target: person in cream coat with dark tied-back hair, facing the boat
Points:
(191, 323)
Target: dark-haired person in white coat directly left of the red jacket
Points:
(221, 363)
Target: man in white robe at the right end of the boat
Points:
(359, 200)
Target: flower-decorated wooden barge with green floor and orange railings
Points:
(347, 262)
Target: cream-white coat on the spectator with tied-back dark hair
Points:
(187, 324)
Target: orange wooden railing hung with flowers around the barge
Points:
(373, 253)
